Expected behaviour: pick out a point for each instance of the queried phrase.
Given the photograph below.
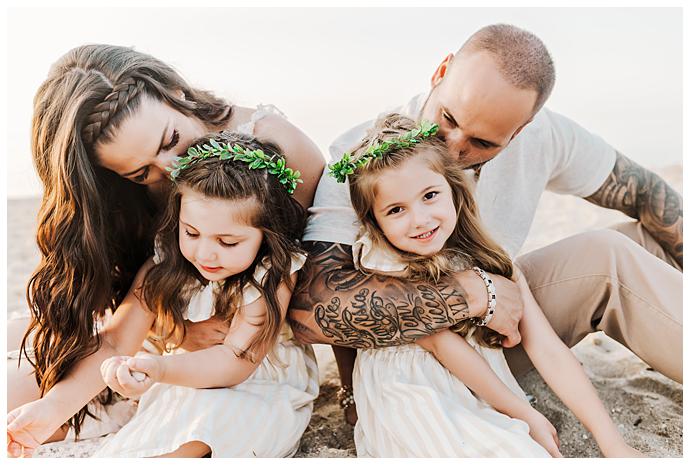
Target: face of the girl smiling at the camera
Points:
(414, 207)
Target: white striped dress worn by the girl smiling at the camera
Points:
(409, 405)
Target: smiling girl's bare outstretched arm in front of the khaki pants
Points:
(564, 374)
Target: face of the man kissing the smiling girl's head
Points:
(477, 110)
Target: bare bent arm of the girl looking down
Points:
(217, 366)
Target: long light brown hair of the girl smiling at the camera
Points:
(469, 245)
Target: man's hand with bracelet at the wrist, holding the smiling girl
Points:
(509, 304)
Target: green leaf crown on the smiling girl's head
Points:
(346, 166)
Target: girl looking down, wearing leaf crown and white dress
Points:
(227, 246)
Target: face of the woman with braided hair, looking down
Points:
(149, 141)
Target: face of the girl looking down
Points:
(215, 234)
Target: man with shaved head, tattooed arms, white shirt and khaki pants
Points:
(488, 102)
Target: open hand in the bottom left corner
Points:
(30, 425)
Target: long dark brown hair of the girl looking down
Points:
(169, 285)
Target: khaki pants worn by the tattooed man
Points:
(604, 281)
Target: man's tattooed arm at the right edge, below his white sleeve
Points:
(643, 195)
